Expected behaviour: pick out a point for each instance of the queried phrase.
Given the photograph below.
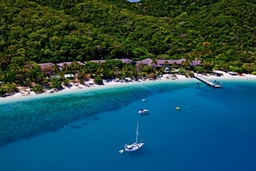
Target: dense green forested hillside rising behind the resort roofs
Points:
(221, 33)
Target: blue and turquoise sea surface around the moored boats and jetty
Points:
(214, 130)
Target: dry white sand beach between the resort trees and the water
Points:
(89, 85)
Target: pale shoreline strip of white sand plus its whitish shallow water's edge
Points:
(20, 96)
